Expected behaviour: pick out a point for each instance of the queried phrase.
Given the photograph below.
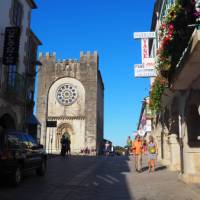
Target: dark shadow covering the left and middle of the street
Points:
(75, 177)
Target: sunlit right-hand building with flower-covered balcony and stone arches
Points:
(175, 93)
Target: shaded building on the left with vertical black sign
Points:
(18, 53)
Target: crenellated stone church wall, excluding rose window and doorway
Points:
(82, 114)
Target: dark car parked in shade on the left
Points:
(19, 152)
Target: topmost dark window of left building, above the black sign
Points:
(17, 13)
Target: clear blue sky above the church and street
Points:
(70, 26)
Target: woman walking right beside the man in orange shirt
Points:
(152, 154)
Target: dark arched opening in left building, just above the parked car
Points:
(7, 122)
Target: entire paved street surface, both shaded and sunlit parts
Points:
(103, 178)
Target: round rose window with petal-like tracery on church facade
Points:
(67, 94)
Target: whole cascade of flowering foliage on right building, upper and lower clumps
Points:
(174, 36)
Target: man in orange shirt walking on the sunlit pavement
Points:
(137, 150)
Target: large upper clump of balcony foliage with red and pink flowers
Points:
(174, 35)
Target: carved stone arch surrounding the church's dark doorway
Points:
(66, 130)
